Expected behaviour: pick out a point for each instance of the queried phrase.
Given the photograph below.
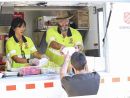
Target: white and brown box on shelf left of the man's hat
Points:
(45, 21)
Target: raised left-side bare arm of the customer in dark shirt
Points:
(63, 70)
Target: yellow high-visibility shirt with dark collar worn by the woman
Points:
(24, 51)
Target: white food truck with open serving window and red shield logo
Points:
(106, 36)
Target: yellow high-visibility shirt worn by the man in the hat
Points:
(53, 34)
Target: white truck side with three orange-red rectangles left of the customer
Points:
(34, 86)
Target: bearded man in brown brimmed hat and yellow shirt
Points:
(61, 36)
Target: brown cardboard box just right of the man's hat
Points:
(81, 18)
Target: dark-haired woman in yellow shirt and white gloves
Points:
(19, 48)
